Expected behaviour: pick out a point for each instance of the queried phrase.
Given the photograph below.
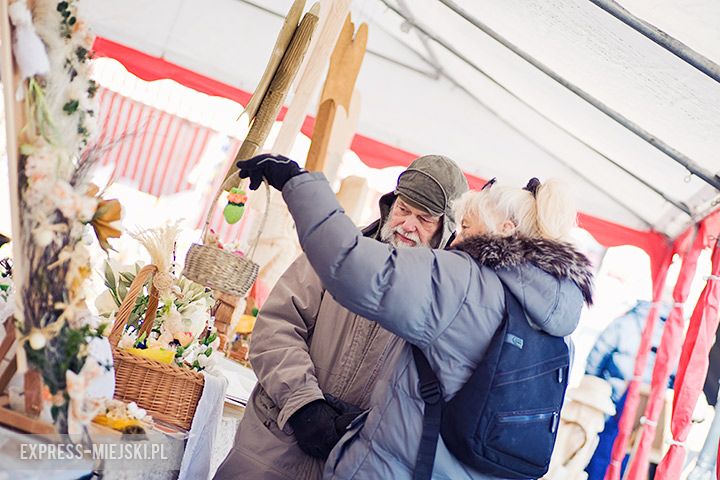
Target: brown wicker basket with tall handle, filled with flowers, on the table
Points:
(169, 393)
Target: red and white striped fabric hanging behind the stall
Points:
(151, 150)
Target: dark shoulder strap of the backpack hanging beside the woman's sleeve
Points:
(431, 393)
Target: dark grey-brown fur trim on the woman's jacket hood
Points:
(556, 258)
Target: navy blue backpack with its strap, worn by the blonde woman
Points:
(504, 420)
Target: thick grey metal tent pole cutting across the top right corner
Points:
(672, 45)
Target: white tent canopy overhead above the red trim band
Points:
(433, 81)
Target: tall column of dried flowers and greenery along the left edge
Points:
(57, 203)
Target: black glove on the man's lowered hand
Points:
(314, 426)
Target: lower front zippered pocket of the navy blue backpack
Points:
(525, 435)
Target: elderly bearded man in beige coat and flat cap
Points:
(317, 362)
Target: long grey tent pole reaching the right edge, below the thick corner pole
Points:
(671, 152)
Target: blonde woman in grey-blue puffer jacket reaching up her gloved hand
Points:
(448, 303)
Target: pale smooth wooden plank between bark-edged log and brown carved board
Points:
(332, 18)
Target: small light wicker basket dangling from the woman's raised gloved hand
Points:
(219, 269)
